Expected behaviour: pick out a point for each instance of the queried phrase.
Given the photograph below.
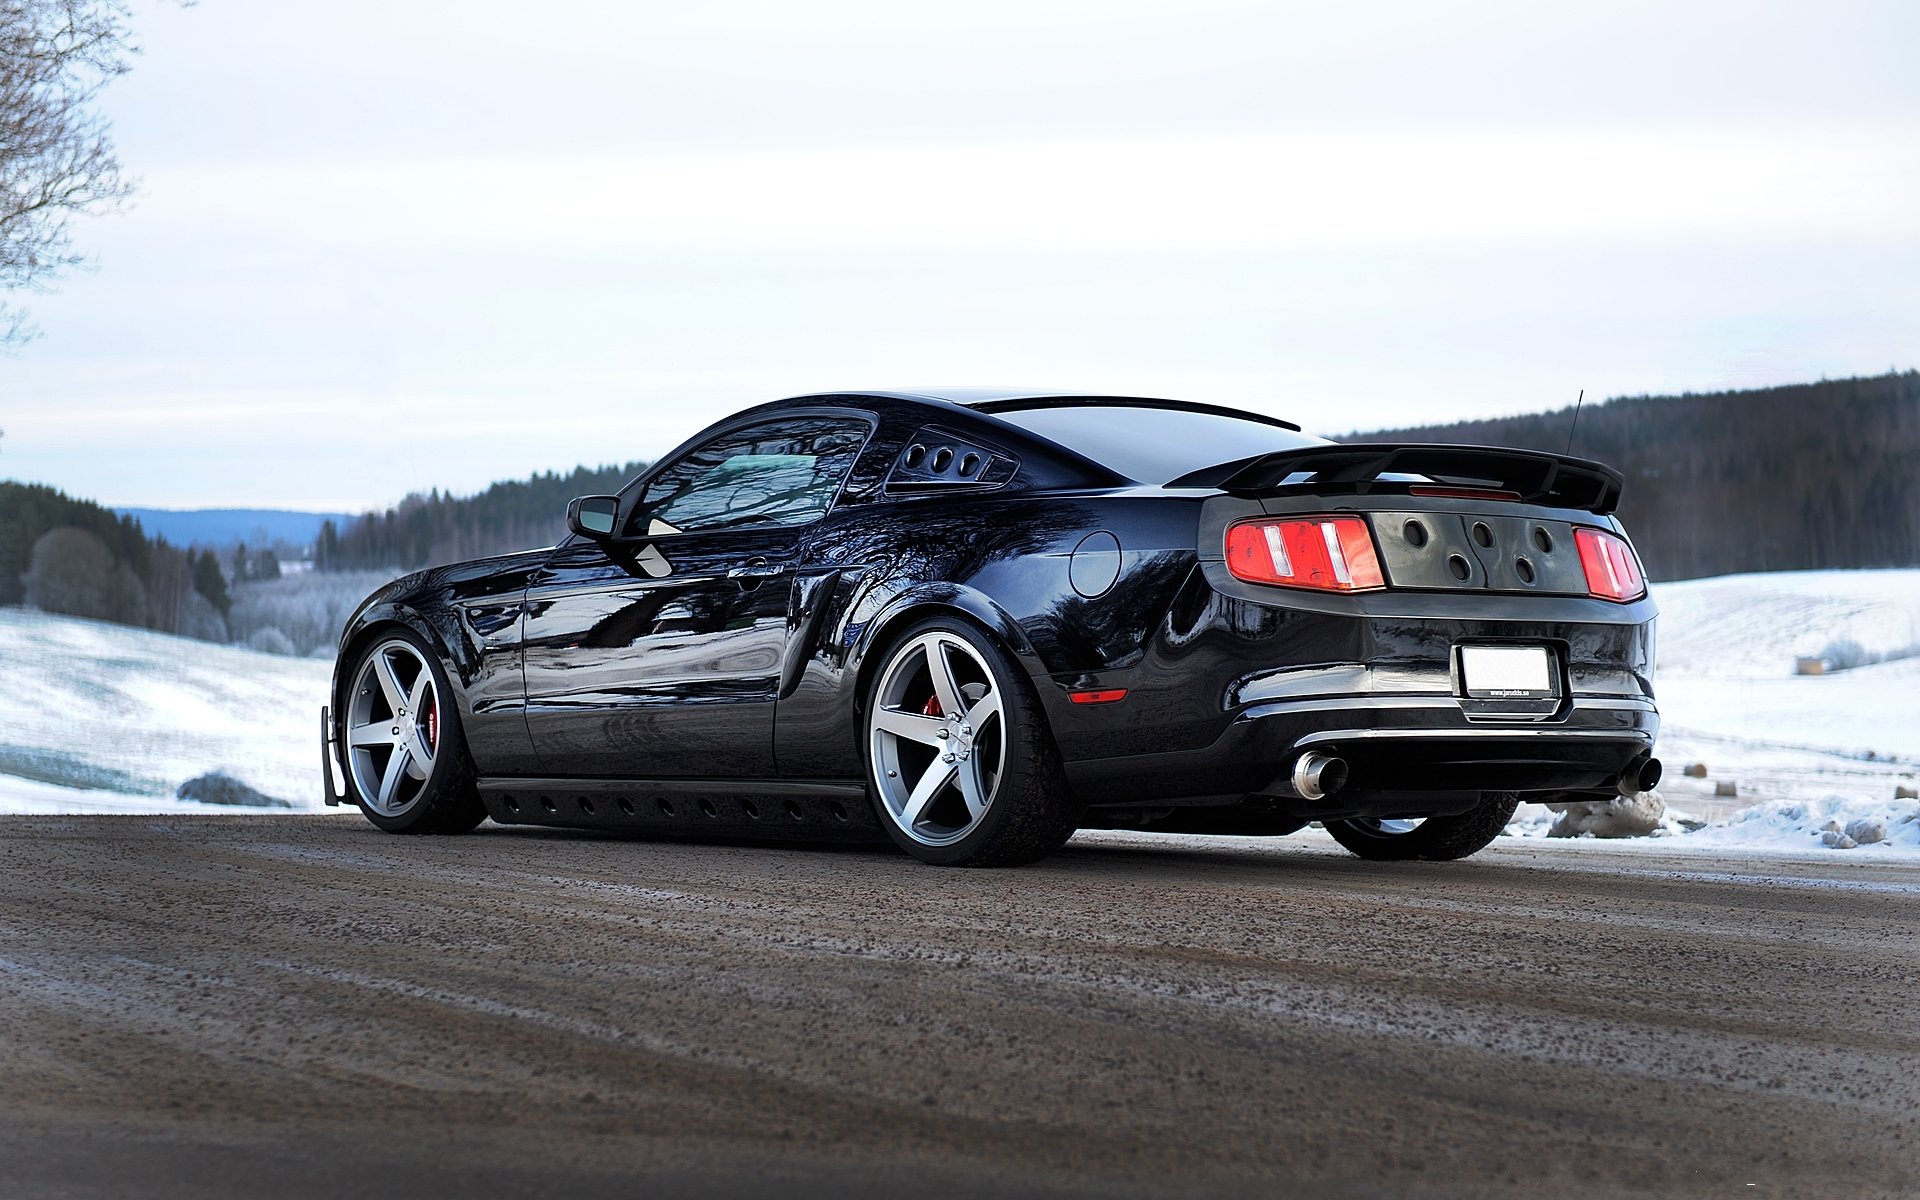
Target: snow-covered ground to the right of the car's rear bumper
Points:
(1806, 756)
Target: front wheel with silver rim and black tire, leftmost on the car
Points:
(406, 757)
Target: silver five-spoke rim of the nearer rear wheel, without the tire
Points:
(938, 738)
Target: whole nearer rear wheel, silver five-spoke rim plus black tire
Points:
(961, 763)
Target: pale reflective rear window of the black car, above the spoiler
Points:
(1155, 446)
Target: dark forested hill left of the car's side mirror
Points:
(425, 531)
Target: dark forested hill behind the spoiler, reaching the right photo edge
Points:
(1779, 479)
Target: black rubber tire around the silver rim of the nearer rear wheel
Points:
(1030, 811)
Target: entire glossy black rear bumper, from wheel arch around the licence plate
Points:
(1239, 681)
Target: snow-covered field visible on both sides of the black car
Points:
(107, 719)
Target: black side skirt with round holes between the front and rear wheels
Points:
(773, 809)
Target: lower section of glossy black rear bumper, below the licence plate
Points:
(1403, 752)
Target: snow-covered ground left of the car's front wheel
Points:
(108, 719)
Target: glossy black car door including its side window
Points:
(658, 654)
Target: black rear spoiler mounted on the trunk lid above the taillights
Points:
(1537, 477)
